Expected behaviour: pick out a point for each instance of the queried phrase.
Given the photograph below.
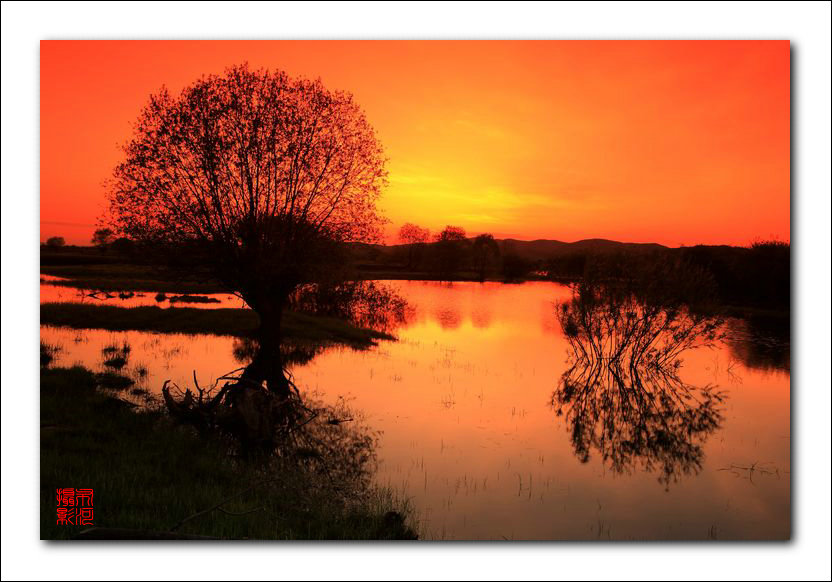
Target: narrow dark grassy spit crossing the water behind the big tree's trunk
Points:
(238, 322)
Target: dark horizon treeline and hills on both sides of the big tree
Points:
(757, 276)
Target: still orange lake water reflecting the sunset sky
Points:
(470, 435)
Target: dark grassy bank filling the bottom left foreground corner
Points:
(148, 475)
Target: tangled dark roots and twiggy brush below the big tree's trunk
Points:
(331, 442)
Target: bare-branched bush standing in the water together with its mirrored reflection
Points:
(622, 394)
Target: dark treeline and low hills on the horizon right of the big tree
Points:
(756, 276)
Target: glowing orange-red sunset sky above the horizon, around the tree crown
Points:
(676, 142)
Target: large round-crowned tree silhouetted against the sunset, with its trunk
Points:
(266, 173)
